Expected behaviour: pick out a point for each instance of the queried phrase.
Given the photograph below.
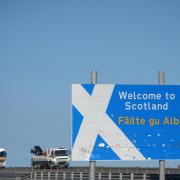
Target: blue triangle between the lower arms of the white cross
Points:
(102, 150)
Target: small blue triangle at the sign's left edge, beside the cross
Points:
(77, 120)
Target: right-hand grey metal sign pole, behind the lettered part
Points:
(161, 81)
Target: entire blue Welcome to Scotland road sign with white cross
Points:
(125, 122)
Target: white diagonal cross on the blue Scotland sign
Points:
(97, 122)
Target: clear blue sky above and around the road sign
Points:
(47, 45)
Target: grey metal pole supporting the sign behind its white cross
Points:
(92, 171)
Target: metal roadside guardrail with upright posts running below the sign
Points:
(82, 173)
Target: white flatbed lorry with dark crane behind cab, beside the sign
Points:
(52, 158)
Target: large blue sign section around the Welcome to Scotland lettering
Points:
(153, 141)
